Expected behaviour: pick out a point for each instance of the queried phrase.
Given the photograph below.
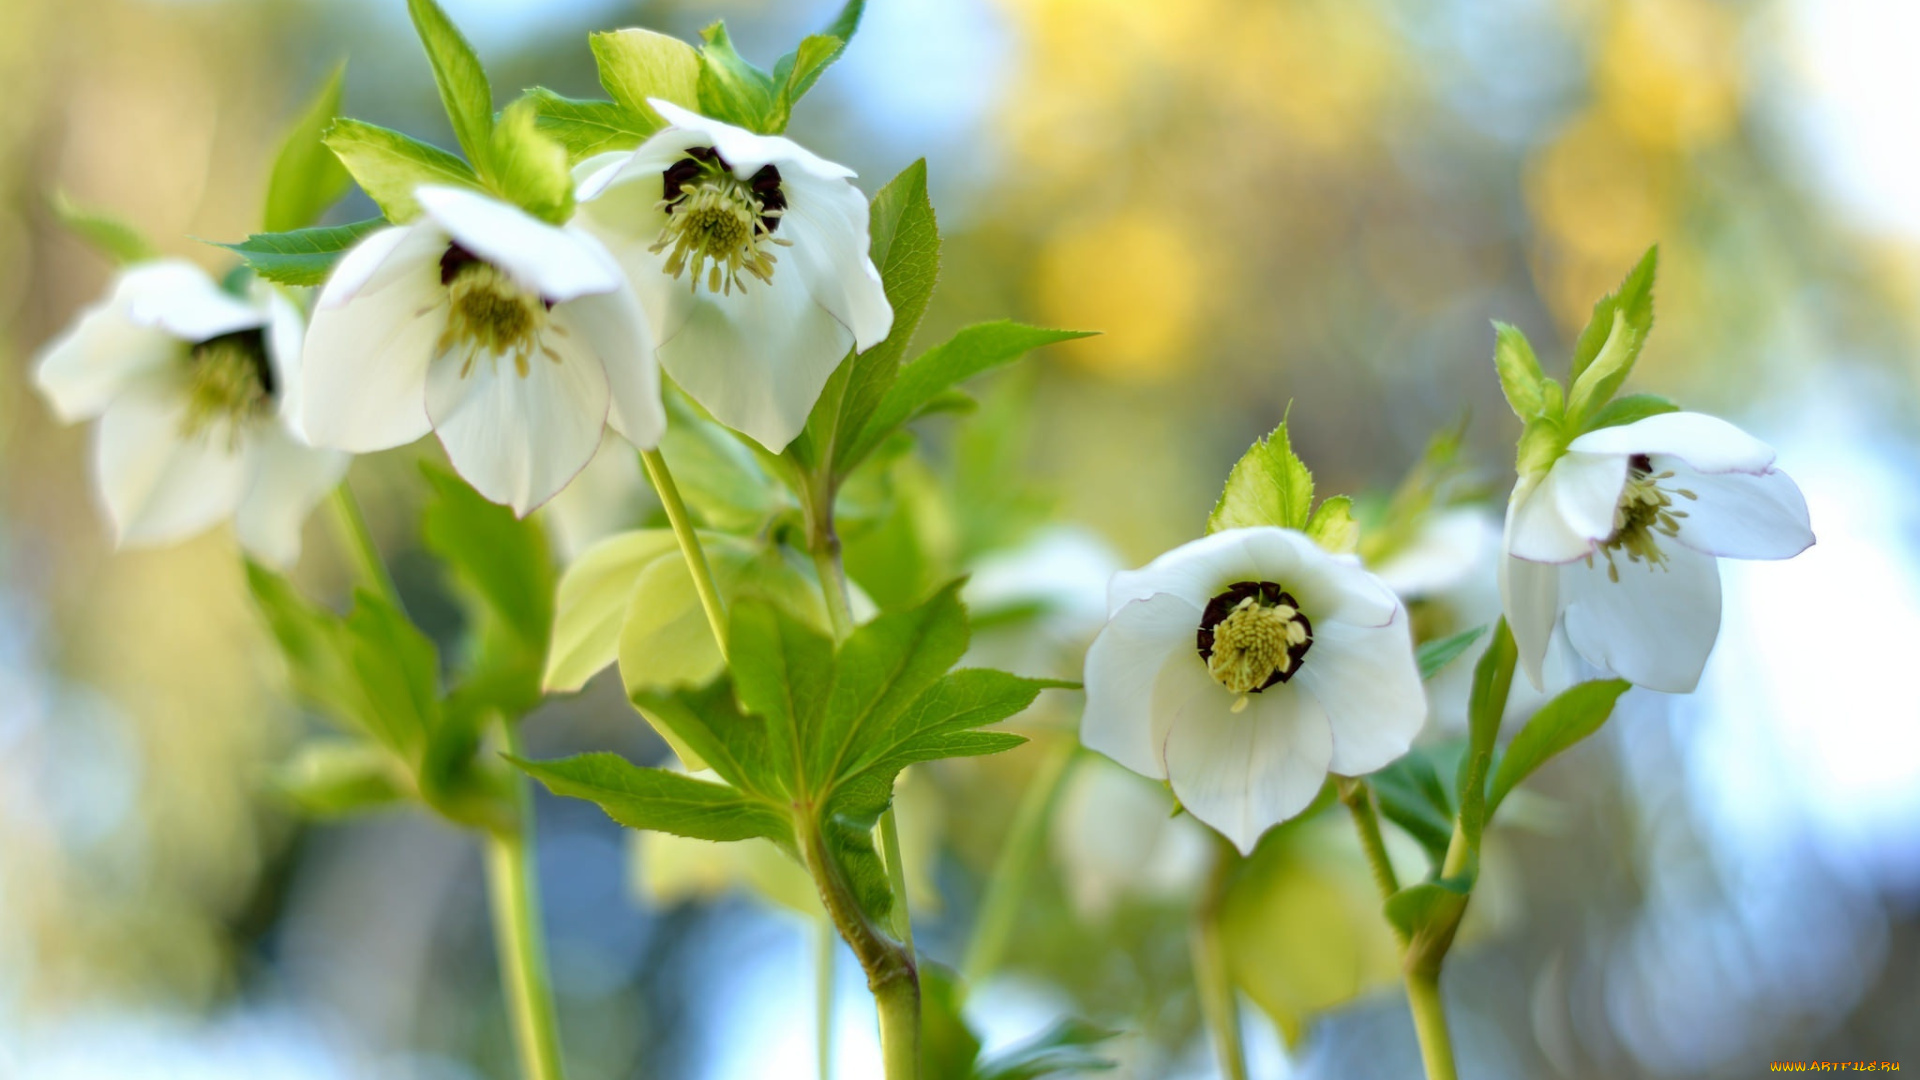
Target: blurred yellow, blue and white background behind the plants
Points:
(1260, 203)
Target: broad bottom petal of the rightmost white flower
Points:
(1656, 626)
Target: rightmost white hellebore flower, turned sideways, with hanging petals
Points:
(1620, 539)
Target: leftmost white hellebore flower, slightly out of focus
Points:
(193, 389)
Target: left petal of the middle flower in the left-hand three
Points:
(375, 328)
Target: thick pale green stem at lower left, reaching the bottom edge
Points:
(523, 958)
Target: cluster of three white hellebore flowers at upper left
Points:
(738, 260)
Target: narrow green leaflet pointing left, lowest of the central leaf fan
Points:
(661, 800)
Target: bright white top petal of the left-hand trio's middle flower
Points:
(558, 264)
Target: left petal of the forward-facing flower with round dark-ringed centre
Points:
(1122, 666)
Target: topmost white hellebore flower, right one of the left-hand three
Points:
(752, 258)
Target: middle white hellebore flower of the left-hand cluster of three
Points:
(510, 339)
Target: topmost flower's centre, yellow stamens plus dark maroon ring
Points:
(719, 226)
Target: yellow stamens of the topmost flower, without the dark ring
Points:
(719, 228)
